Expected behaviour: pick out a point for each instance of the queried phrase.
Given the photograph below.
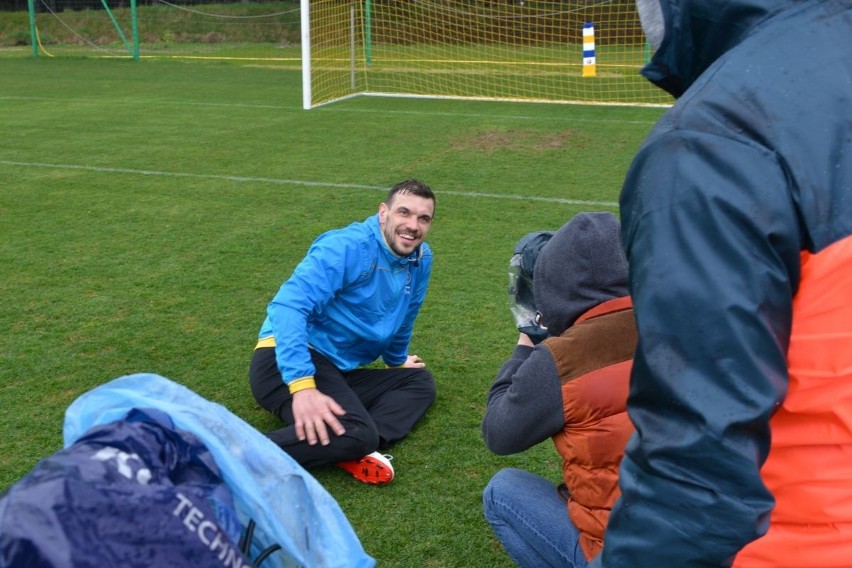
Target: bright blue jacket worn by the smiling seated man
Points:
(351, 299)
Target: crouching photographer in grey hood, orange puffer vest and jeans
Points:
(567, 380)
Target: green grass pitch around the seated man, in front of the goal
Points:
(149, 210)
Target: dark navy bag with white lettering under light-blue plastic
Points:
(135, 492)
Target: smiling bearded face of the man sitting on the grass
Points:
(405, 221)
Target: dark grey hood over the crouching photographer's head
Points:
(581, 266)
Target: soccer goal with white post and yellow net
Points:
(515, 50)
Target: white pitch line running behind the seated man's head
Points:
(304, 183)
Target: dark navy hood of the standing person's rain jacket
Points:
(698, 32)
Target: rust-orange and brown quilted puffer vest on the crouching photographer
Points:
(593, 358)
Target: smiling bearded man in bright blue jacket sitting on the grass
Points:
(352, 300)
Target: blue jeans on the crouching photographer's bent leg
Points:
(531, 521)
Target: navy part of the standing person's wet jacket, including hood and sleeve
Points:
(751, 169)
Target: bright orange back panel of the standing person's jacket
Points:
(808, 470)
